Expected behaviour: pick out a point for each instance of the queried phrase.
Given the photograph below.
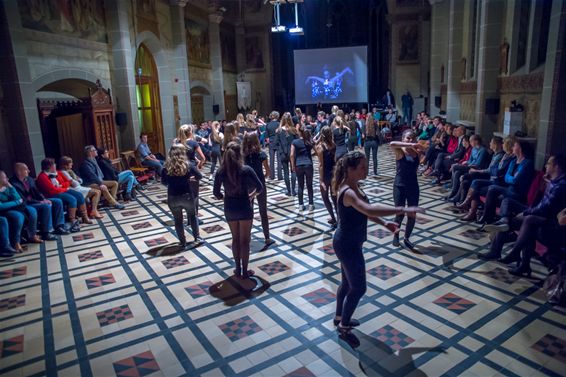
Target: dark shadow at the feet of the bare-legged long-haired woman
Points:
(234, 290)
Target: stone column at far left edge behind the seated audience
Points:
(18, 91)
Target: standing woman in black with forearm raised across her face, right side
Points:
(406, 185)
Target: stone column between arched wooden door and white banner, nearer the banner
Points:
(216, 63)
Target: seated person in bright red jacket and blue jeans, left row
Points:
(53, 184)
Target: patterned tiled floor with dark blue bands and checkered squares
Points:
(116, 299)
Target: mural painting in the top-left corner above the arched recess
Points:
(74, 18)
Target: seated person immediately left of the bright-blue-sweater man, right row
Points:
(480, 185)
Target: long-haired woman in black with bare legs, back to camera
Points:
(241, 185)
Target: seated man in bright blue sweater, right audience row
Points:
(518, 180)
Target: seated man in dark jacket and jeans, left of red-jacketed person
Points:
(49, 212)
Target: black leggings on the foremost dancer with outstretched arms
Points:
(353, 285)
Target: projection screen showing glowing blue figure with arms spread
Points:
(332, 75)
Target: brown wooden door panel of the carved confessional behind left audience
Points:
(72, 138)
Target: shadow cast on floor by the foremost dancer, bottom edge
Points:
(378, 359)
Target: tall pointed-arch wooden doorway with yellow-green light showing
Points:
(147, 96)
